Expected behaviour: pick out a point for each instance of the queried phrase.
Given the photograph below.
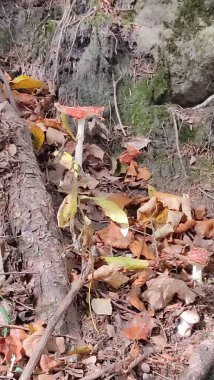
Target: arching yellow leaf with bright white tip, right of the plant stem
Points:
(113, 211)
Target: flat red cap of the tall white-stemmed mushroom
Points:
(80, 112)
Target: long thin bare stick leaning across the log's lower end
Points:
(58, 315)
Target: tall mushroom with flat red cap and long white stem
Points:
(81, 114)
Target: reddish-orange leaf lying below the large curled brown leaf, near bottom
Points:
(139, 328)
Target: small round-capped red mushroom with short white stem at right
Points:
(199, 258)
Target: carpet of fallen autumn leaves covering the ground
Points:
(142, 277)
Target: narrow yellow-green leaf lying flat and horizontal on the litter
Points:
(127, 262)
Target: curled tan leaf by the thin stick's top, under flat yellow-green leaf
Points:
(109, 274)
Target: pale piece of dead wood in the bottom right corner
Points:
(201, 362)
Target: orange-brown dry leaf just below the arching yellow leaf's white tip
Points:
(113, 237)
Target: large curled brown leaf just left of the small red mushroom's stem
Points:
(162, 289)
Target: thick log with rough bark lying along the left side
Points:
(31, 217)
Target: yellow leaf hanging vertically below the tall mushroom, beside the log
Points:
(68, 207)
